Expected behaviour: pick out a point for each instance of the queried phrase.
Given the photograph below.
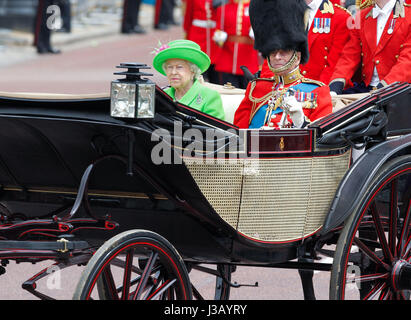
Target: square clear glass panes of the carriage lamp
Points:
(132, 100)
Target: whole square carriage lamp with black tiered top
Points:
(132, 97)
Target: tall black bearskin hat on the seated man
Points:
(279, 24)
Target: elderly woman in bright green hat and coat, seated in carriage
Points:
(182, 62)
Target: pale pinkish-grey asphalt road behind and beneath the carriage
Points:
(88, 67)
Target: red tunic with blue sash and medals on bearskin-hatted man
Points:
(314, 95)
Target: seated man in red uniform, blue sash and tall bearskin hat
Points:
(286, 99)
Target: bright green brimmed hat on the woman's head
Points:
(181, 49)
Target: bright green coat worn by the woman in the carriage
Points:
(201, 98)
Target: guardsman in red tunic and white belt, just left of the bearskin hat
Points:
(235, 39)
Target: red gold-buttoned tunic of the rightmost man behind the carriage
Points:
(392, 55)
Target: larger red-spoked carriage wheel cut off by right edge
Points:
(373, 254)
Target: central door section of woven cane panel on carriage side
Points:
(274, 202)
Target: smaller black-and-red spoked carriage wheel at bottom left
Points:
(135, 265)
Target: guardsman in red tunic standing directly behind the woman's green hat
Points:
(199, 26)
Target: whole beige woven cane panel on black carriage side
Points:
(281, 200)
